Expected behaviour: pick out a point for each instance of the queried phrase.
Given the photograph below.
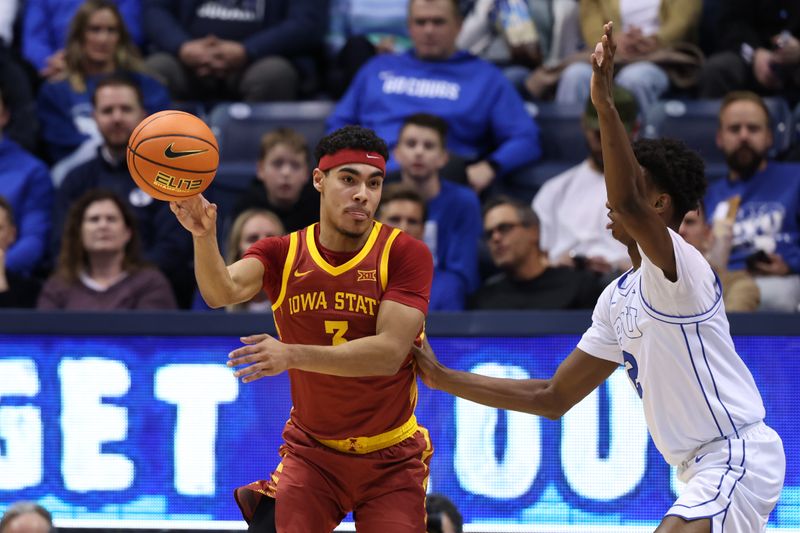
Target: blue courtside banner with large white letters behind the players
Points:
(156, 429)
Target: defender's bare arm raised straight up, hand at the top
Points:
(628, 197)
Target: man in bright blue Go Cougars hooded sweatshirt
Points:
(488, 124)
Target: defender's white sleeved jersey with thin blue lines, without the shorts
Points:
(674, 340)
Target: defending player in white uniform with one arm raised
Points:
(664, 320)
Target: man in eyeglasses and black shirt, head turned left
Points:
(526, 279)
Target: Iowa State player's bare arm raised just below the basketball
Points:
(219, 285)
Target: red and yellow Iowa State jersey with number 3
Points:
(327, 298)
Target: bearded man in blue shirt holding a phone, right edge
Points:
(766, 230)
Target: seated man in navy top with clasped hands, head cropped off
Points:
(252, 50)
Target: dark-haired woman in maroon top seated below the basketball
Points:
(100, 265)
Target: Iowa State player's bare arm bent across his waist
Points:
(377, 355)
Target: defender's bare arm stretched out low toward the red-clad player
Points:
(577, 376)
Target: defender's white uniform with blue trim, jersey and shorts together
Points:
(701, 404)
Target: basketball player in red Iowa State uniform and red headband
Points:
(350, 297)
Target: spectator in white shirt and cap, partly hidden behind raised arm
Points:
(572, 205)
